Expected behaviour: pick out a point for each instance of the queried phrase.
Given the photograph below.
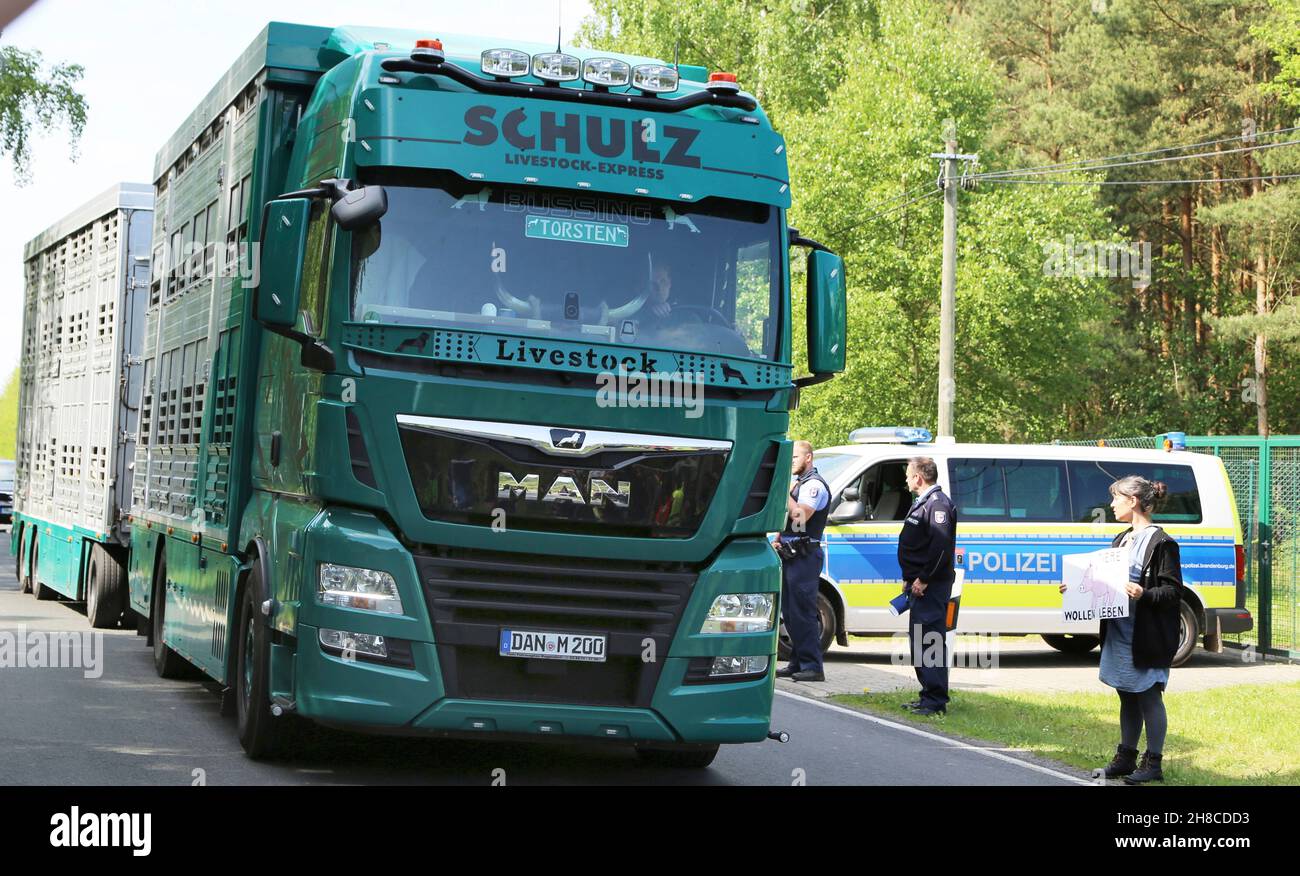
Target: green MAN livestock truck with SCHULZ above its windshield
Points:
(466, 374)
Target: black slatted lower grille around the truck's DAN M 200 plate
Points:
(473, 596)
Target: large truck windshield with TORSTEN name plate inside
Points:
(570, 264)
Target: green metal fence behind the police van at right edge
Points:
(1266, 476)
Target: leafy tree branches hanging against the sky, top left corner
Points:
(33, 99)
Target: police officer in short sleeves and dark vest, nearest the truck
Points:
(800, 548)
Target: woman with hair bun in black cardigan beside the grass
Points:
(1138, 651)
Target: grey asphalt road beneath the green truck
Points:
(128, 727)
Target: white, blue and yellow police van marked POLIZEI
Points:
(1021, 509)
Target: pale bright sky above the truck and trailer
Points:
(150, 62)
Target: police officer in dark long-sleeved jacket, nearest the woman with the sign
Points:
(926, 557)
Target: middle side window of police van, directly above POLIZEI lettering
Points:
(1011, 489)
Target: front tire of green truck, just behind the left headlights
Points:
(262, 735)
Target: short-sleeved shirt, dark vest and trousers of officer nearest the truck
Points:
(801, 575)
